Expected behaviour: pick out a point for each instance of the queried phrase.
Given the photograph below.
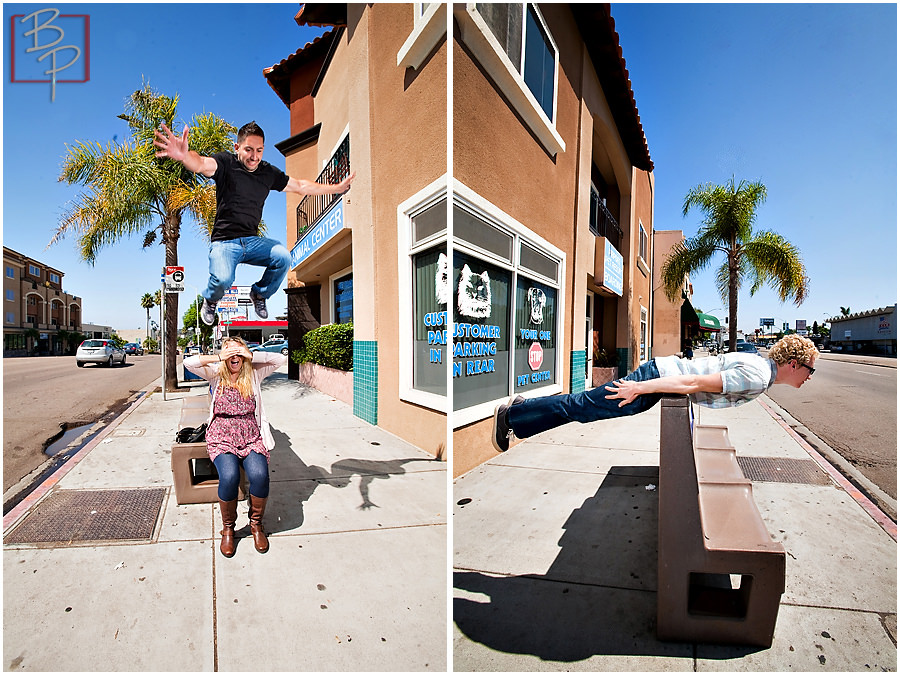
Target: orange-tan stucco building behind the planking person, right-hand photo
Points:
(552, 201)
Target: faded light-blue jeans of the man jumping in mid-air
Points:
(225, 256)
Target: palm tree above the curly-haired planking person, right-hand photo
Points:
(765, 257)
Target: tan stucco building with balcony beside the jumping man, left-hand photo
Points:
(370, 96)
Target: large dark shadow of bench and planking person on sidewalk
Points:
(598, 597)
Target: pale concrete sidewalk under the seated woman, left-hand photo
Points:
(354, 580)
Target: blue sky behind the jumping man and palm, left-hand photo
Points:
(214, 64)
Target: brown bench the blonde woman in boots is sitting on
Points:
(195, 477)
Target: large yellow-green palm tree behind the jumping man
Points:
(131, 191)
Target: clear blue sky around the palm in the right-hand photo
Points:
(802, 97)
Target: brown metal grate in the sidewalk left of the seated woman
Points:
(91, 515)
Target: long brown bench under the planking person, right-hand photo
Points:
(721, 576)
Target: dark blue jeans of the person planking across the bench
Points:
(535, 415)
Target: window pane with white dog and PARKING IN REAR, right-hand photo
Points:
(481, 341)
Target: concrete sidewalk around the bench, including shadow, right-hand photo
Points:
(555, 557)
